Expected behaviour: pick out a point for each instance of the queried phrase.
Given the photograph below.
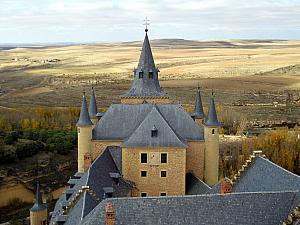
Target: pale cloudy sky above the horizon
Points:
(52, 21)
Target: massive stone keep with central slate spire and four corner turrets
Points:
(160, 143)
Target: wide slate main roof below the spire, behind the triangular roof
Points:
(120, 121)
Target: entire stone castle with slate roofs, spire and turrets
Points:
(148, 161)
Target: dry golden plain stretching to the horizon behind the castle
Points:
(241, 72)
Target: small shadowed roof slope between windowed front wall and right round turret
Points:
(195, 186)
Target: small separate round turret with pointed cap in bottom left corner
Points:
(39, 211)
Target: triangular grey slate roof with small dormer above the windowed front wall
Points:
(166, 136)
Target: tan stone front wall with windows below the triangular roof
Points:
(154, 184)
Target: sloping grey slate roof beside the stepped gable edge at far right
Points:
(264, 175)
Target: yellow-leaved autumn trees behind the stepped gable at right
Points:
(280, 146)
